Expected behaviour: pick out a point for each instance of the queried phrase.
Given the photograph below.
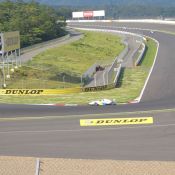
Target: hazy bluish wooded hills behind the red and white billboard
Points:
(117, 8)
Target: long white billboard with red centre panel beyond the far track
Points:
(88, 14)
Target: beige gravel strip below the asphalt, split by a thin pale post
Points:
(26, 166)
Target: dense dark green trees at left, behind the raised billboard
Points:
(35, 22)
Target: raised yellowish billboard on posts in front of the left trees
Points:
(10, 41)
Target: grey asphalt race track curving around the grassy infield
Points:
(48, 131)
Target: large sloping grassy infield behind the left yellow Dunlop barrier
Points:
(64, 65)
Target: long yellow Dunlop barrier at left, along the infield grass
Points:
(39, 91)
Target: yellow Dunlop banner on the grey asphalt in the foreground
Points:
(116, 121)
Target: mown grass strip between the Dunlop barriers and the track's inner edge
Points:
(130, 86)
